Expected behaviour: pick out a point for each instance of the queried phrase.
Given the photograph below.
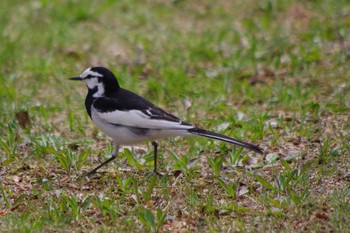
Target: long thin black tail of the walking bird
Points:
(208, 134)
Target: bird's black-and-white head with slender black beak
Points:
(99, 80)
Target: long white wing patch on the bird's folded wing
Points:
(136, 118)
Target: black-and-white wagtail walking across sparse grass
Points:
(129, 119)
